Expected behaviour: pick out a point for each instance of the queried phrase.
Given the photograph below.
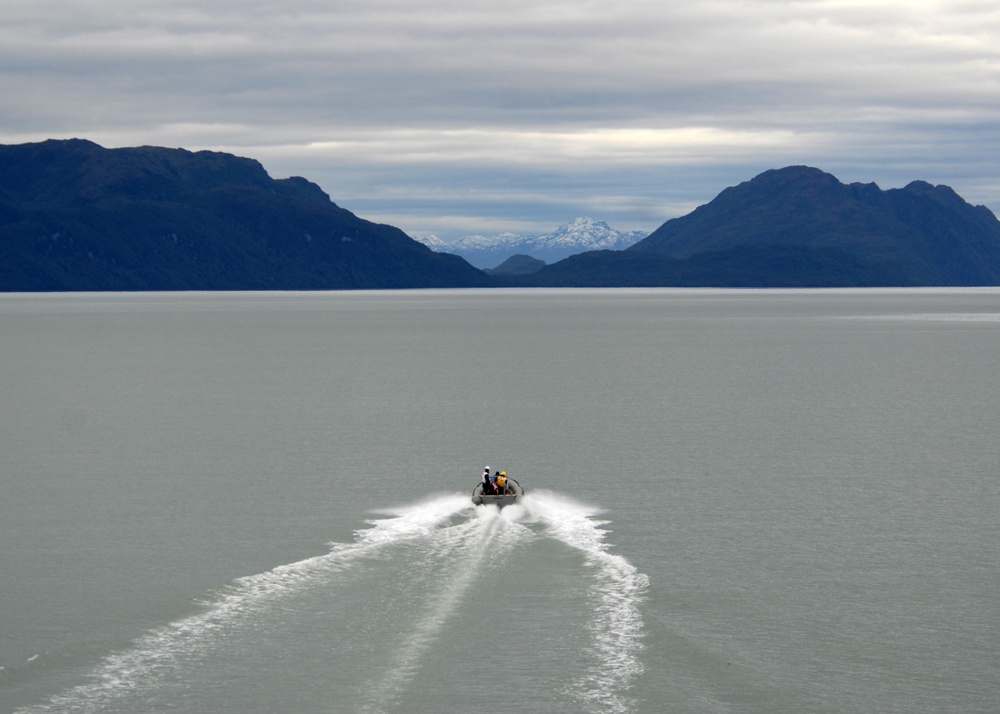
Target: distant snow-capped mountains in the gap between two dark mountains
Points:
(579, 236)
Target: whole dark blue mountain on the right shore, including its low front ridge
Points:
(800, 226)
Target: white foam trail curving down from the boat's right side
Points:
(618, 589)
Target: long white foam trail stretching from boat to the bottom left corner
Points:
(153, 656)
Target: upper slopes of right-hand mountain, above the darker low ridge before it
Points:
(917, 235)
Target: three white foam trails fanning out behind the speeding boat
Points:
(456, 543)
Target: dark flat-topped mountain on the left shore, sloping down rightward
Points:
(77, 216)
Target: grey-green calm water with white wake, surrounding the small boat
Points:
(738, 501)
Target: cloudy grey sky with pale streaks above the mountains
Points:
(459, 117)
